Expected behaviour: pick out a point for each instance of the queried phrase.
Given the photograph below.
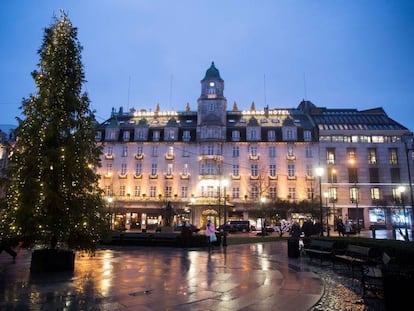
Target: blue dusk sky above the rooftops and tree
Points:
(337, 54)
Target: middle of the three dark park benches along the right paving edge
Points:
(356, 256)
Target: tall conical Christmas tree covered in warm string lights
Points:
(53, 195)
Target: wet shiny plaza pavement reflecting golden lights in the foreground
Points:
(256, 276)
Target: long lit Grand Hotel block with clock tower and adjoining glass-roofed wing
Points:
(226, 164)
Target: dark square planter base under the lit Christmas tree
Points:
(45, 260)
